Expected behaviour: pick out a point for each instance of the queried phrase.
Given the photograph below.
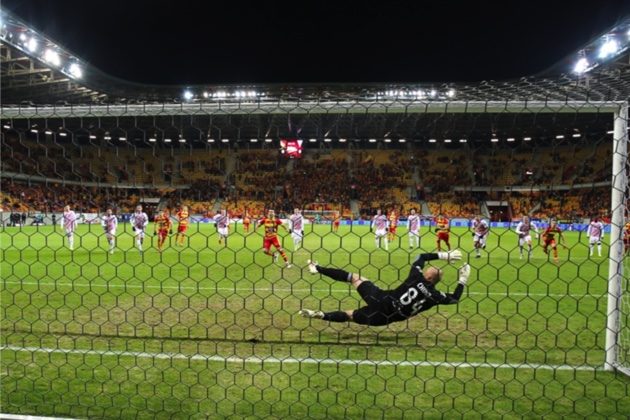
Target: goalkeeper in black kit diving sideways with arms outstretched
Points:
(416, 294)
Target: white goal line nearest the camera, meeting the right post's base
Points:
(300, 361)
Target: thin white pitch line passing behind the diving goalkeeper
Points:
(268, 289)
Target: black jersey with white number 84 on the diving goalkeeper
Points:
(416, 294)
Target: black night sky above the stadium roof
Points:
(194, 42)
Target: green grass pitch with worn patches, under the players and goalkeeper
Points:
(211, 331)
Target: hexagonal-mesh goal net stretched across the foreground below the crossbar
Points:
(190, 320)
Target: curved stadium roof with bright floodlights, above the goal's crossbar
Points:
(36, 70)
